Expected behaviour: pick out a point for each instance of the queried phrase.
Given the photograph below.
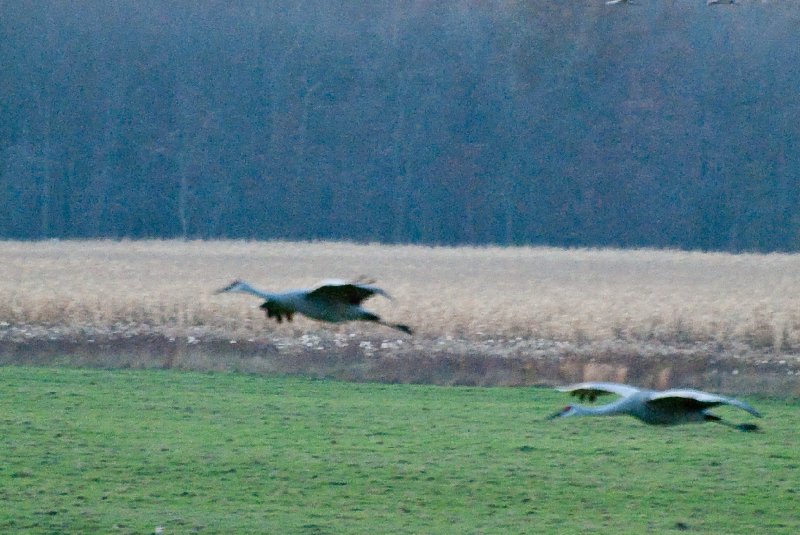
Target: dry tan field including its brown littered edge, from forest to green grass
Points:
(481, 315)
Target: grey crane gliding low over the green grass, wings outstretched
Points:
(668, 407)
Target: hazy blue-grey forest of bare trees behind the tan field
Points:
(666, 123)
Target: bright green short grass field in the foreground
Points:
(88, 451)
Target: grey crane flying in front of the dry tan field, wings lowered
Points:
(333, 301)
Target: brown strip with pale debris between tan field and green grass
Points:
(446, 361)
